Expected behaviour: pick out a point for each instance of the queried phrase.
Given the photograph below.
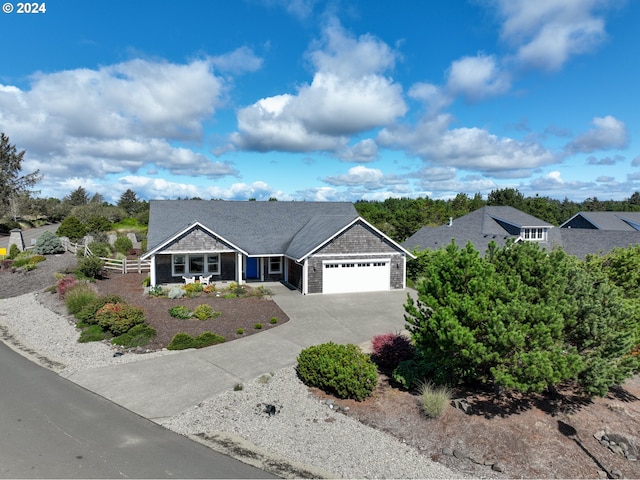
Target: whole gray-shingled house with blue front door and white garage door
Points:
(316, 247)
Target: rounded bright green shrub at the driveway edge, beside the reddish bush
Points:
(342, 370)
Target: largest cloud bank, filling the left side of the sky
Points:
(114, 119)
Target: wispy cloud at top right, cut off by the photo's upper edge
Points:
(547, 33)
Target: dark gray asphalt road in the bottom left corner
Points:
(51, 428)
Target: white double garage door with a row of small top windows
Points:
(355, 276)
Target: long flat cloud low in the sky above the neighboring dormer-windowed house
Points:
(465, 148)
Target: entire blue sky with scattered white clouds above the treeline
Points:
(336, 101)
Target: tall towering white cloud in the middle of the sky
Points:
(348, 94)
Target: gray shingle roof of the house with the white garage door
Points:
(258, 228)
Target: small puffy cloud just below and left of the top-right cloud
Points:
(477, 77)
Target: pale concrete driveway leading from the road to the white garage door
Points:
(162, 387)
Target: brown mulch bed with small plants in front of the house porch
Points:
(236, 312)
